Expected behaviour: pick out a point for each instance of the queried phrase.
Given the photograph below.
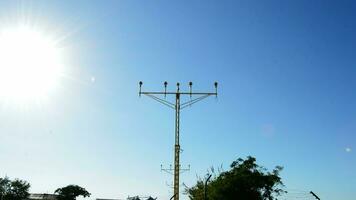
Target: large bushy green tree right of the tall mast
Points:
(245, 180)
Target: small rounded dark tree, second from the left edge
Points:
(71, 192)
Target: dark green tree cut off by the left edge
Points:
(13, 190)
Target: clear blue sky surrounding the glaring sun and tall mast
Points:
(287, 77)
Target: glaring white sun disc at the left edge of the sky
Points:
(29, 64)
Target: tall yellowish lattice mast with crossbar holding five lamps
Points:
(178, 106)
